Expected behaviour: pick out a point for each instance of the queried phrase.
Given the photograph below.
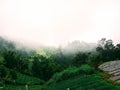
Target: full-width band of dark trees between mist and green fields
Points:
(30, 63)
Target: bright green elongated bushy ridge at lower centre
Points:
(71, 72)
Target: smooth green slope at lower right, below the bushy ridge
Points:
(89, 82)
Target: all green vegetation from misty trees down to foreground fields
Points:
(55, 68)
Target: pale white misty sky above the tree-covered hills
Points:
(54, 22)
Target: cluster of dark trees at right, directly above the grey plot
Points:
(105, 51)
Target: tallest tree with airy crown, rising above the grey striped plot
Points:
(106, 50)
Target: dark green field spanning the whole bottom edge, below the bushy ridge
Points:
(87, 82)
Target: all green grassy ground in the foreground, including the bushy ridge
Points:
(83, 78)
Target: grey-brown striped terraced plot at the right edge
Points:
(112, 68)
